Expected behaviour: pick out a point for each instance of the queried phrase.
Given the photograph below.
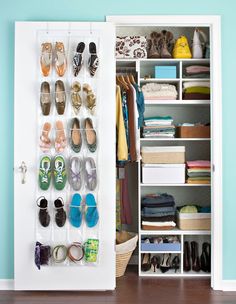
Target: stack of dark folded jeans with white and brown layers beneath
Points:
(158, 212)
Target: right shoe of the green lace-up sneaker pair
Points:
(59, 172)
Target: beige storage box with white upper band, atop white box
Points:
(163, 155)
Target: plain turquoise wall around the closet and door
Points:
(75, 10)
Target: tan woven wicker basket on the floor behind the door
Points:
(123, 254)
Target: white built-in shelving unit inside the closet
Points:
(196, 148)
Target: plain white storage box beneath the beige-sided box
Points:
(163, 173)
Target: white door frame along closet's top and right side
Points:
(214, 22)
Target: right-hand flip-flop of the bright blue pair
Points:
(91, 215)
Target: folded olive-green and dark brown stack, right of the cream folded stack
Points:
(193, 90)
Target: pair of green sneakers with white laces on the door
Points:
(55, 167)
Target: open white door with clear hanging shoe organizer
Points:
(29, 121)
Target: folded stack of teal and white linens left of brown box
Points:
(159, 126)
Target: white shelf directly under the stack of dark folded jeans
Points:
(175, 231)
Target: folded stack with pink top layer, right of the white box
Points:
(199, 172)
